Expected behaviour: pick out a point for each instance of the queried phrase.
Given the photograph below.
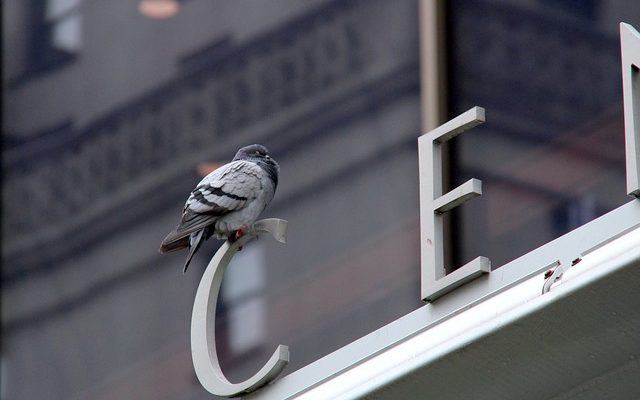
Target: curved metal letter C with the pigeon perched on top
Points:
(203, 330)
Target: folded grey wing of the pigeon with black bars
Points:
(228, 188)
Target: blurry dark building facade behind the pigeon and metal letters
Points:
(110, 107)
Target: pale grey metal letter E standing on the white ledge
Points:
(435, 282)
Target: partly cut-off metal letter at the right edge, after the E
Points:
(630, 46)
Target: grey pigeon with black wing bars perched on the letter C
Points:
(226, 202)
